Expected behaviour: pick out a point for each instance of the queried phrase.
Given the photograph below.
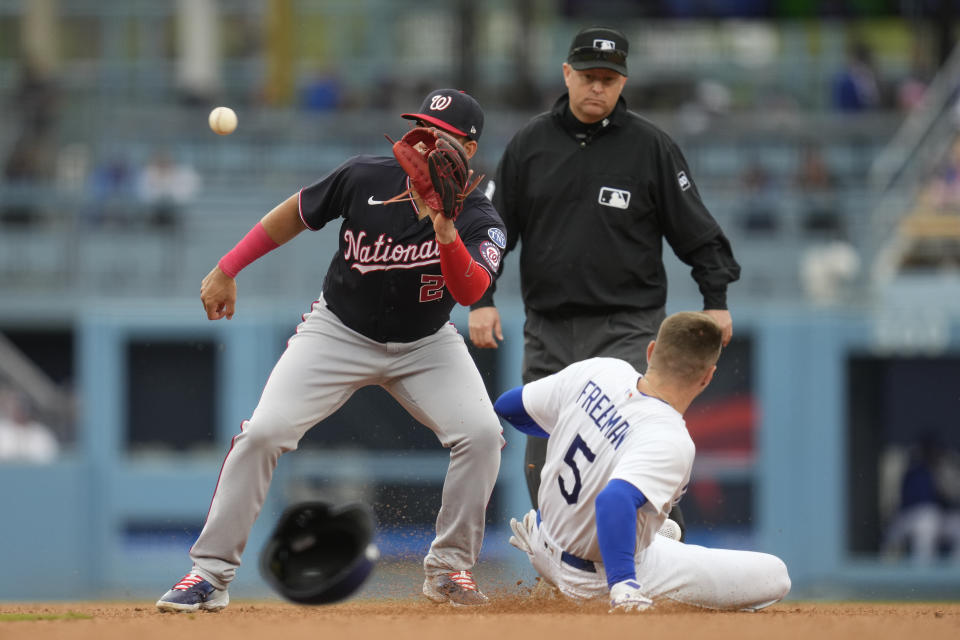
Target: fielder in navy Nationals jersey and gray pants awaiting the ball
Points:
(382, 319)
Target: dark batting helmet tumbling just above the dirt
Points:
(319, 553)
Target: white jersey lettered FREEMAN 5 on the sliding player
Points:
(601, 428)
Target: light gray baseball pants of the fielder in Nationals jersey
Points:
(433, 378)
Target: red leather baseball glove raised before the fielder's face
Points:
(438, 167)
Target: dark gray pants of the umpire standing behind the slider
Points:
(552, 342)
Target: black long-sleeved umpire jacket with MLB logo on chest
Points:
(593, 204)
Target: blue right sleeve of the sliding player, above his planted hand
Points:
(616, 507)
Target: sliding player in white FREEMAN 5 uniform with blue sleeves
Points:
(618, 457)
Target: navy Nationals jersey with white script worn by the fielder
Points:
(385, 281)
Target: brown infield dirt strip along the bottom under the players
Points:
(509, 618)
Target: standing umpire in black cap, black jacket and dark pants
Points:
(592, 189)
